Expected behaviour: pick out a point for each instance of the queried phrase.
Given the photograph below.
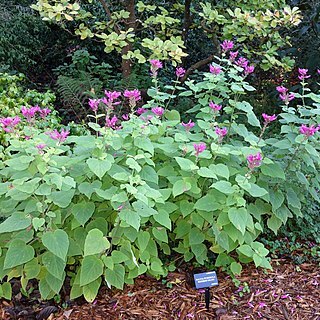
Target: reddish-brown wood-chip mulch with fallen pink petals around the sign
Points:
(288, 292)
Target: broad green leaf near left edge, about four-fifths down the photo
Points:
(18, 253)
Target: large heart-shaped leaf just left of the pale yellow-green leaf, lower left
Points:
(56, 242)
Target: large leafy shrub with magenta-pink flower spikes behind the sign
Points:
(146, 186)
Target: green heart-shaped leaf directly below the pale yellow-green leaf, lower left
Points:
(91, 269)
